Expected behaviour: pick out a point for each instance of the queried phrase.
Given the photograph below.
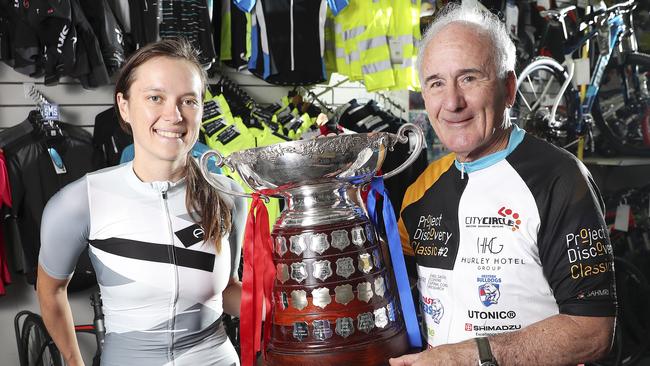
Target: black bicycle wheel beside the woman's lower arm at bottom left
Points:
(38, 346)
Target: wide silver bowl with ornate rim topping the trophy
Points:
(351, 158)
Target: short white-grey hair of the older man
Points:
(505, 54)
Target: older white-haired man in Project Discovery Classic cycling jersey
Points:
(513, 256)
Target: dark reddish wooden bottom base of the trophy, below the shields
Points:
(367, 354)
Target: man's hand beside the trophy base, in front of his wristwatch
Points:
(457, 354)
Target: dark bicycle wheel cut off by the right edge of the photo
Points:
(624, 123)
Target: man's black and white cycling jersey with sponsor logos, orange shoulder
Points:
(535, 246)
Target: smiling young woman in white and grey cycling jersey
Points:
(165, 246)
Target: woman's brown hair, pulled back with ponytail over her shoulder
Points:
(213, 214)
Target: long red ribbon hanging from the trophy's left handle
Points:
(257, 284)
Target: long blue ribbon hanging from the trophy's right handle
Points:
(397, 258)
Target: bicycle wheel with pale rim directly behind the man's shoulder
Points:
(538, 88)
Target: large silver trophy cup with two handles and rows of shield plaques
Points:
(334, 297)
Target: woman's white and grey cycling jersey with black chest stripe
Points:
(161, 284)
